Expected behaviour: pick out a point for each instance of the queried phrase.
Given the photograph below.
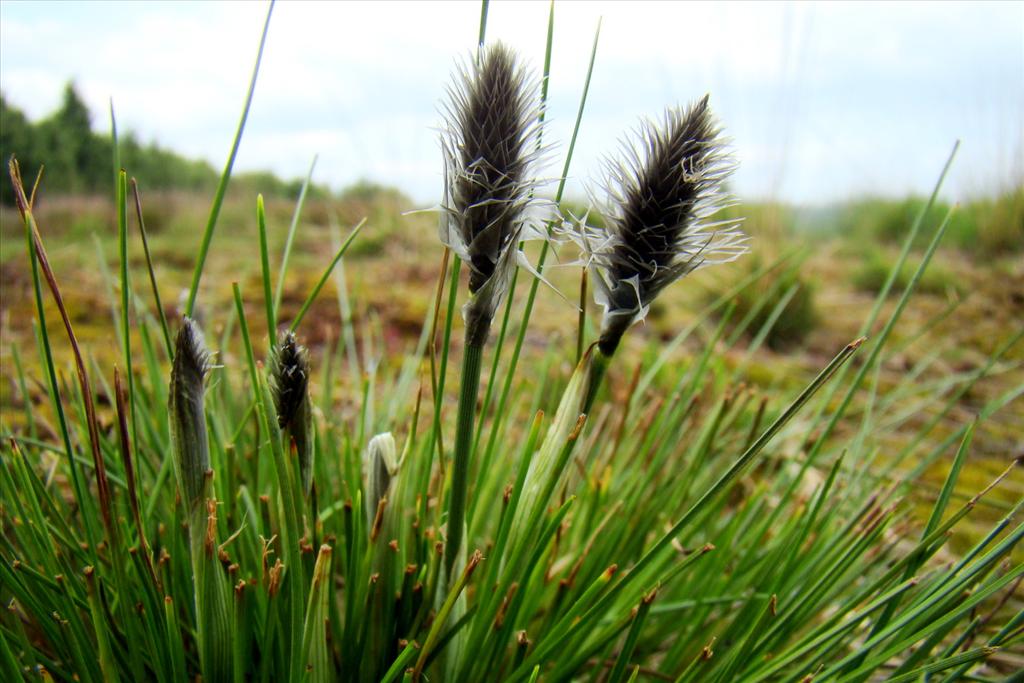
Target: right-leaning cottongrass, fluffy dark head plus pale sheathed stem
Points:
(661, 201)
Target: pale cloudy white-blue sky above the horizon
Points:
(822, 102)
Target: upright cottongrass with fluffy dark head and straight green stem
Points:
(492, 141)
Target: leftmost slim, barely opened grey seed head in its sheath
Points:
(192, 458)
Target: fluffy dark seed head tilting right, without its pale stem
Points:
(661, 196)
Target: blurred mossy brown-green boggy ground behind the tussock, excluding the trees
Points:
(966, 309)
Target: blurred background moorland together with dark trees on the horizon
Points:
(821, 270)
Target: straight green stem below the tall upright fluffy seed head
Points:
(463, 451)
